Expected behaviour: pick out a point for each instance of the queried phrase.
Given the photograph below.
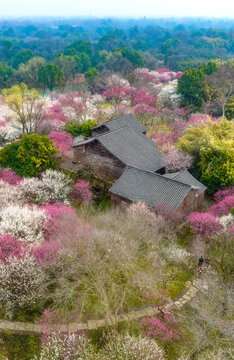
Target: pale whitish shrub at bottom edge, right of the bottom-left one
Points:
(127, 346)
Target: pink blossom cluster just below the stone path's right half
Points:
(161, 328)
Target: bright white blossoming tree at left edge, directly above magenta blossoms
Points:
(24, 222)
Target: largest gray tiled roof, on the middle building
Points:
(129, 147)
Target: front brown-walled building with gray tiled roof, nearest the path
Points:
(140, 185)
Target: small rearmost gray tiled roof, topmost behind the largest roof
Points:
(129, 120)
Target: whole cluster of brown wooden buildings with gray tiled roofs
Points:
(120, 151)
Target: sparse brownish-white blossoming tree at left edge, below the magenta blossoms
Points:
(20, 283)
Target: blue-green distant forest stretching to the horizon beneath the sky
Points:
(65, 47)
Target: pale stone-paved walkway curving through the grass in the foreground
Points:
(27, 328)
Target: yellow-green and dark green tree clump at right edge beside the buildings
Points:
(212, 145)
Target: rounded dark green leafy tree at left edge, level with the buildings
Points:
(30, 156)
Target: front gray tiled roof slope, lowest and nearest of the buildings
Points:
(139, 185)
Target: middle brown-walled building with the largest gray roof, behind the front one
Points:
(109, 153)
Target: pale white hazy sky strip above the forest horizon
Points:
(131, 8)
